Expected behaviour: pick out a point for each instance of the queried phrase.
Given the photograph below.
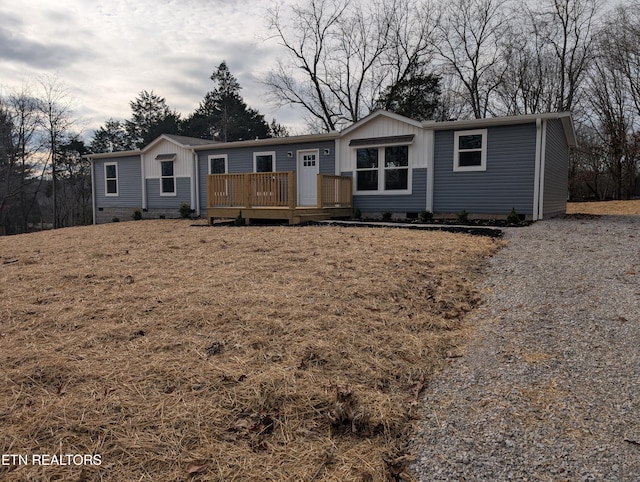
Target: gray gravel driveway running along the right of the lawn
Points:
(549, 385)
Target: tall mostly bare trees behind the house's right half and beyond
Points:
(430, 59)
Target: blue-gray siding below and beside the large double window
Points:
(402, 203)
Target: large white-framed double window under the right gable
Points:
(382, 168)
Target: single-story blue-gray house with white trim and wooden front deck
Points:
(384, 163)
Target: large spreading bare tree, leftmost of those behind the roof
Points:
(342, 55)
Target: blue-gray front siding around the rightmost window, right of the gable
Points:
(508, 181)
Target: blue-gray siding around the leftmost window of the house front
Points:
(129, 183)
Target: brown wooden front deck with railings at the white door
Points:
(272, 195)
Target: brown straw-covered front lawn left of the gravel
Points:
(259, 353)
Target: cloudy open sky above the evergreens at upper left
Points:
(107, 51)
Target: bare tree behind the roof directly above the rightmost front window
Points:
(469, 45)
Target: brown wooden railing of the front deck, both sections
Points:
(273, 189)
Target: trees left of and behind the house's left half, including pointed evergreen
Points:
(44, 179)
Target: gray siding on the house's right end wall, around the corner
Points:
(556, 182)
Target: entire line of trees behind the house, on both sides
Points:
(342, 59)
